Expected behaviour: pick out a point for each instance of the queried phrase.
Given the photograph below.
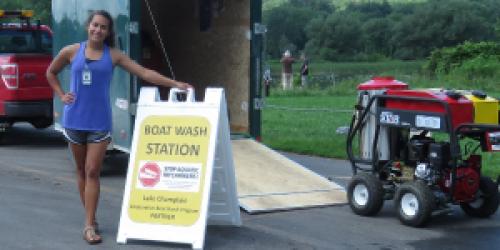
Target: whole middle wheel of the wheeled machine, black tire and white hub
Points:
(415, 203)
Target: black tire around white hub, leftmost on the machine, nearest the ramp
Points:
(375, 194)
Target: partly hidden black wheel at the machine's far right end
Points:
(487, 201)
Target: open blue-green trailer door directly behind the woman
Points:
(69, 26)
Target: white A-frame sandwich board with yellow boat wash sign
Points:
(181, 172)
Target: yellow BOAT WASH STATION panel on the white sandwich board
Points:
(169, 169)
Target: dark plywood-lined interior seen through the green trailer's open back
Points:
(208, 44)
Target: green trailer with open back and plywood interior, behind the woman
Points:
(208, 43)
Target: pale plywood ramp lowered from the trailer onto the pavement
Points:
(268, 181)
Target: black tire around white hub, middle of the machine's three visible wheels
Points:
(426, 203)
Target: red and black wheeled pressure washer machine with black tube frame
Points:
(422, 149)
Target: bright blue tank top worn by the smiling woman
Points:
(91, 109)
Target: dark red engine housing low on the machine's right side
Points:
(467, 180)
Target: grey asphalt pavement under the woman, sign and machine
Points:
(40, 209)
